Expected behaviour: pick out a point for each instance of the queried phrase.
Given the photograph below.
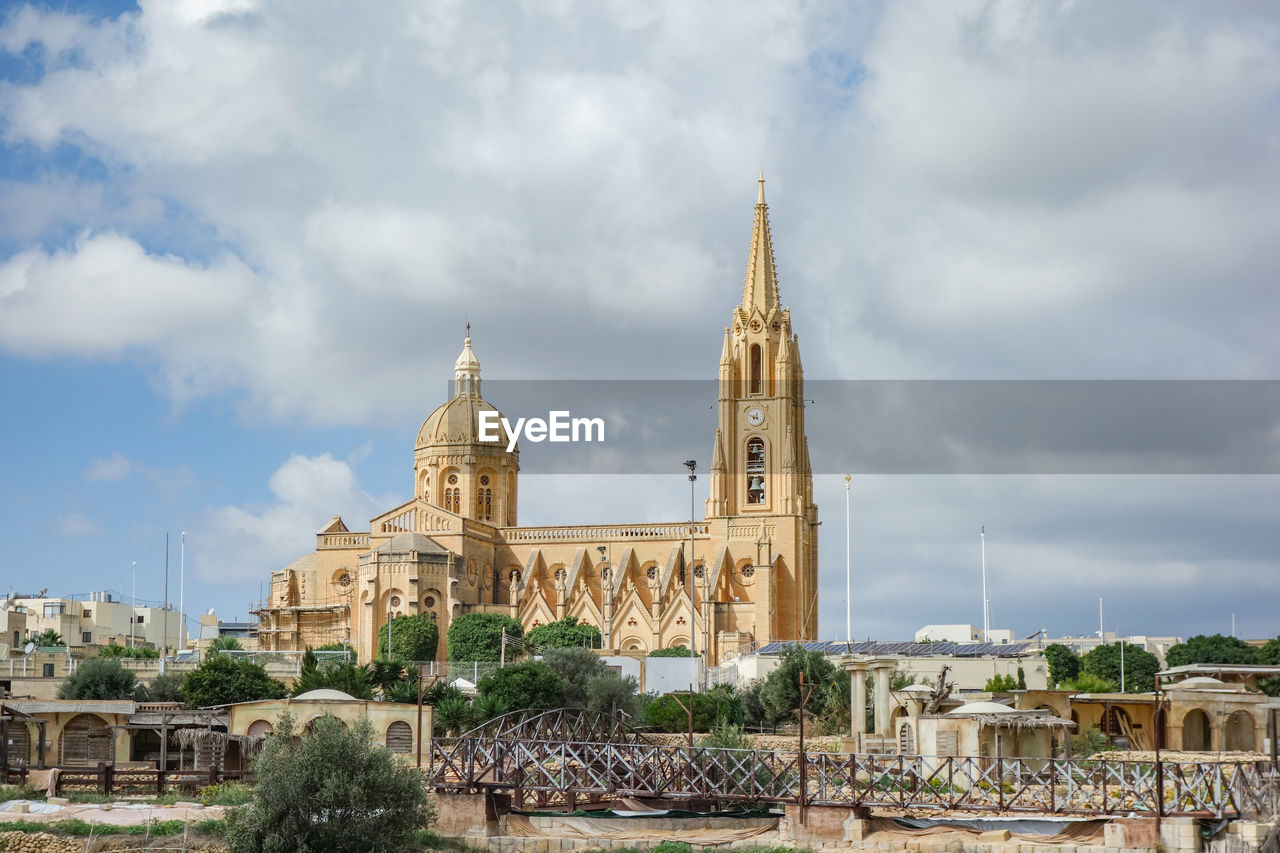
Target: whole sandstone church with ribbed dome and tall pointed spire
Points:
(744, 576)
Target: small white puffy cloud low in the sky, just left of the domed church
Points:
(237, 545)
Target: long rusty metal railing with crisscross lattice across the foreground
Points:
(546, 773)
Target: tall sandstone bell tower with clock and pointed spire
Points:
(761, 473)
